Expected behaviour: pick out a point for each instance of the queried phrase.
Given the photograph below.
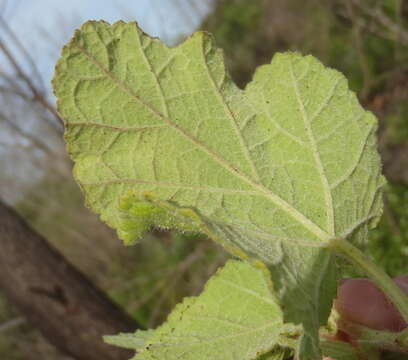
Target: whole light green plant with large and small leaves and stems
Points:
(284, 174)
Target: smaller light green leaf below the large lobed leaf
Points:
(235, 317)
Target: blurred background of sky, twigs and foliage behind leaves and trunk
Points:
(367, 40)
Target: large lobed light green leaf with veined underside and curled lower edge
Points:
(275, 171)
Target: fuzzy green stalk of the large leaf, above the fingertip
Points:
(376, 274)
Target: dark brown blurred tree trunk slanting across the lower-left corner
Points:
(55, 297)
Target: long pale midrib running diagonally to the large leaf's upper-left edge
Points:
(289, 209)
